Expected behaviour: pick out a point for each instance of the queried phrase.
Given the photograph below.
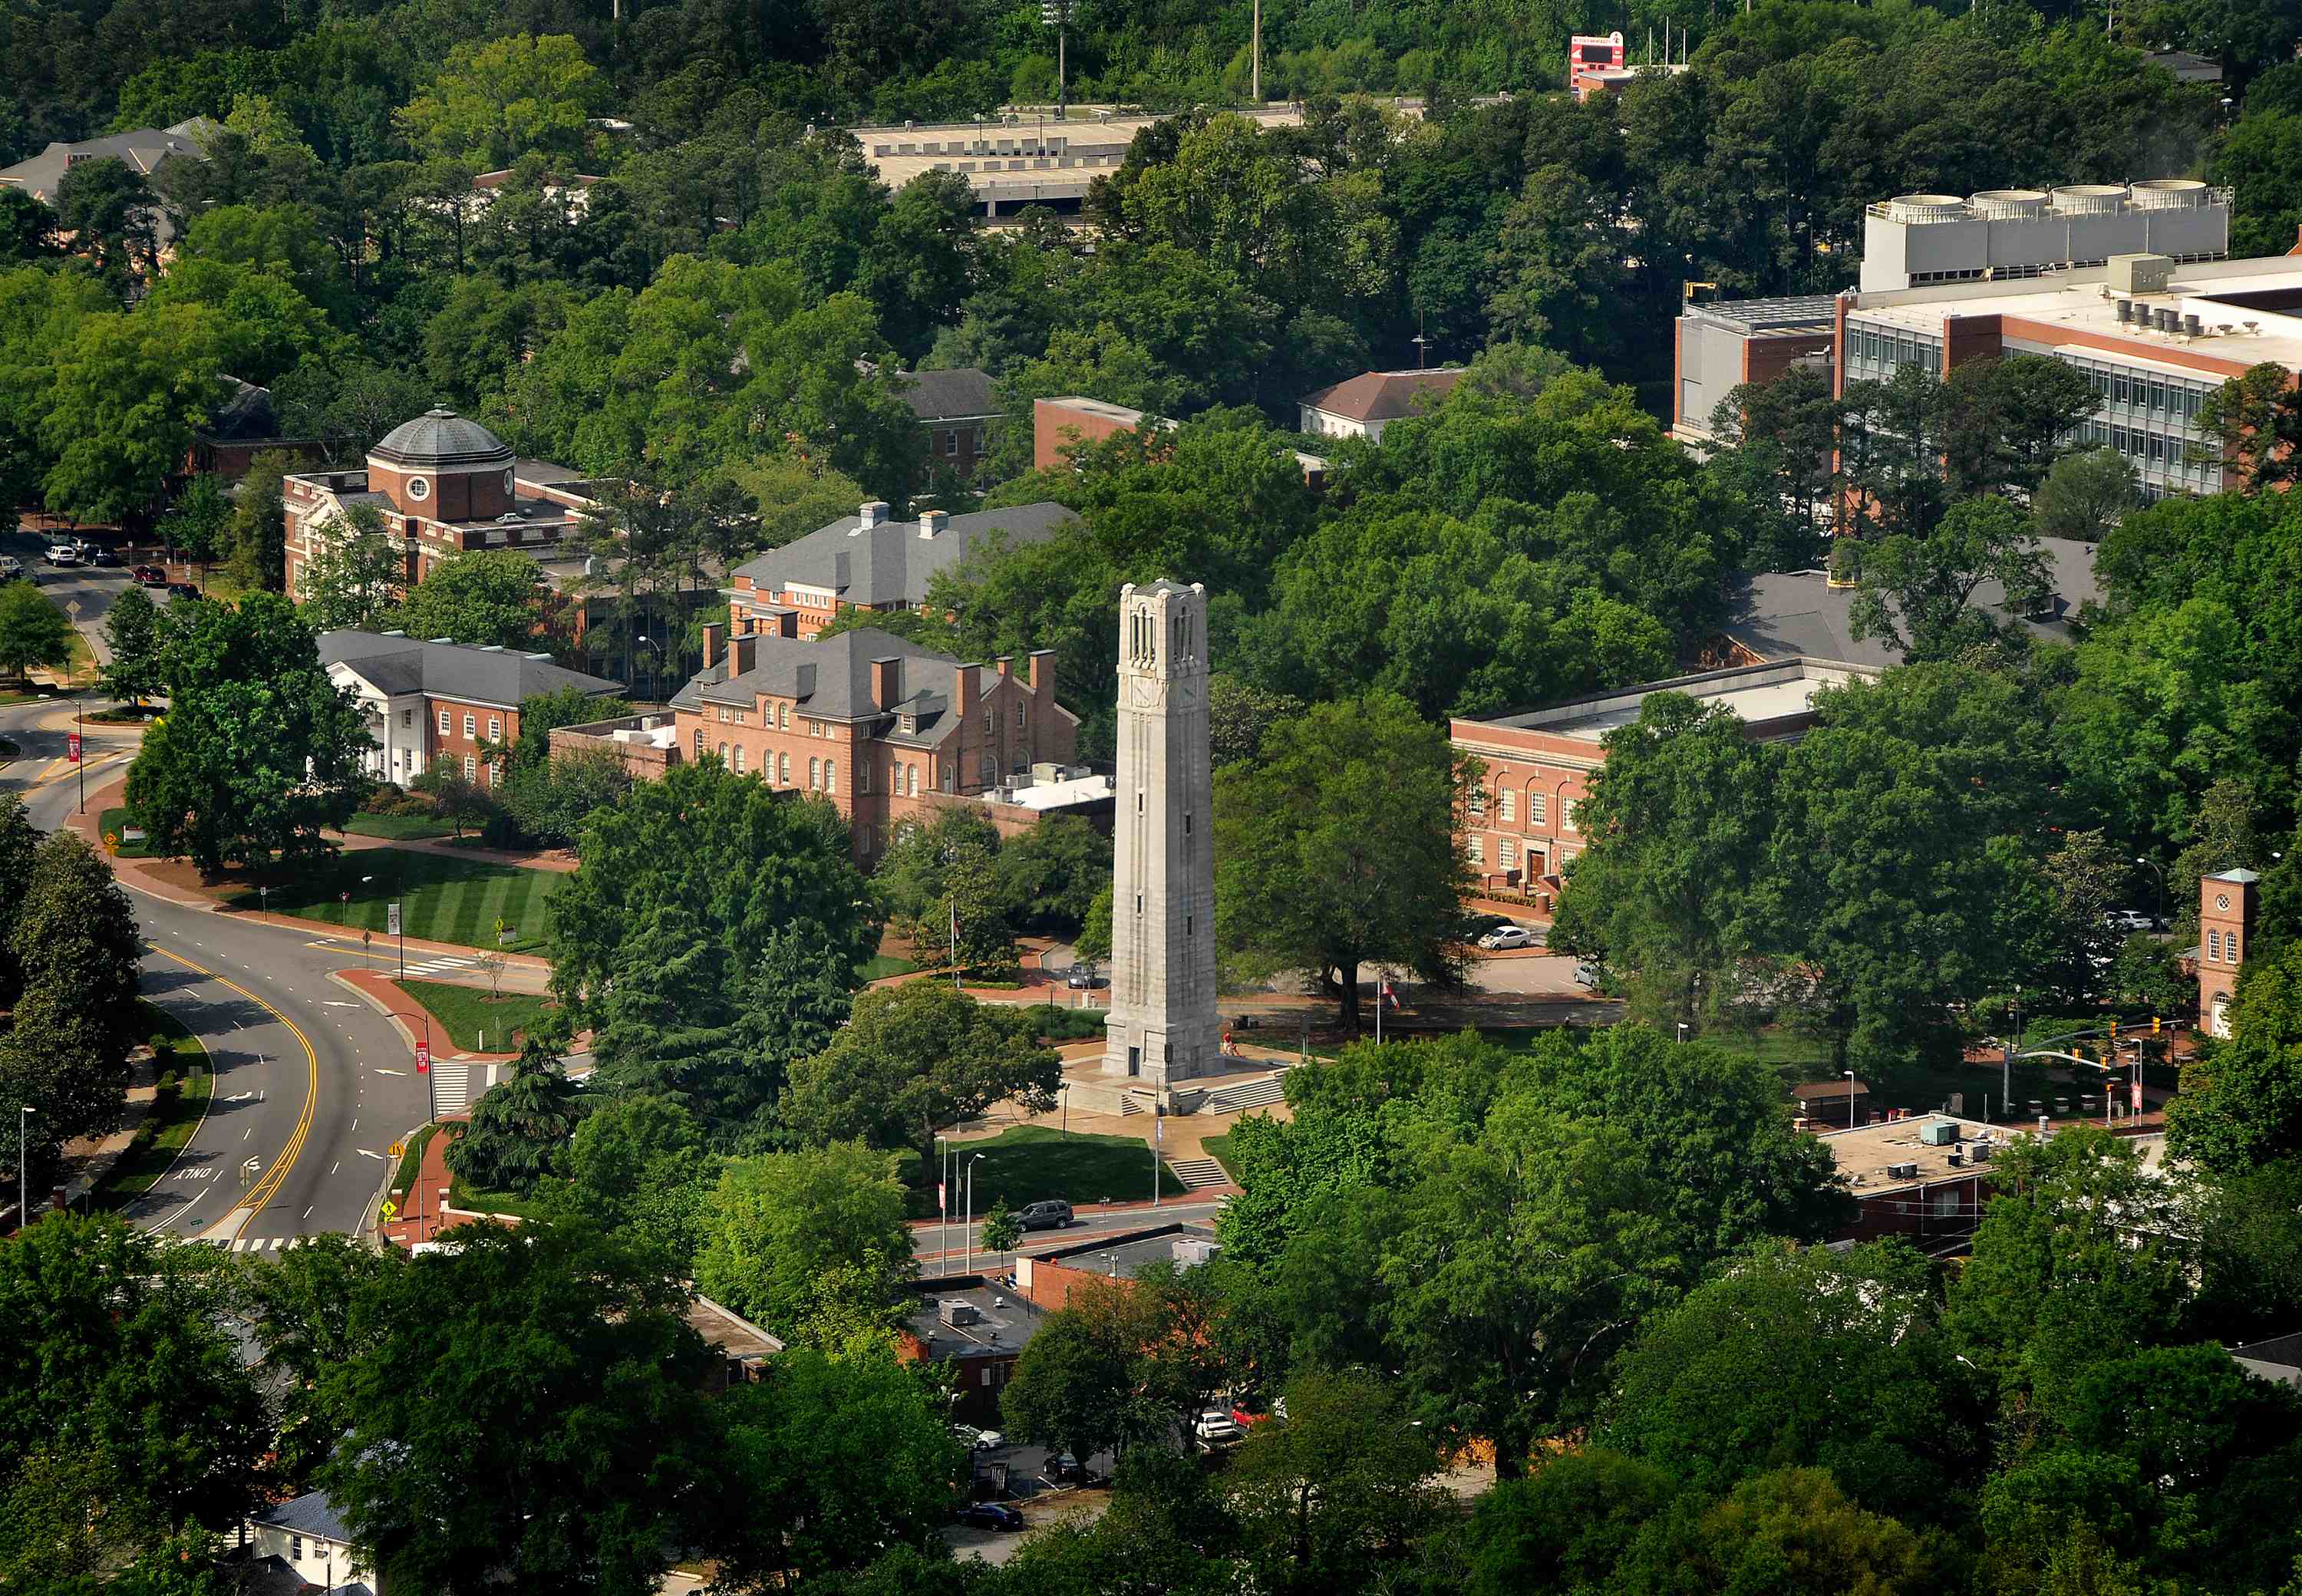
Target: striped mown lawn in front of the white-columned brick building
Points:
(448, 899)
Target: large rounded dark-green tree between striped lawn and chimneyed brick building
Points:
(722, 851)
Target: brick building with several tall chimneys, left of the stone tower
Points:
(885, 729)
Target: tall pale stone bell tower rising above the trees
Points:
(1164, 1021)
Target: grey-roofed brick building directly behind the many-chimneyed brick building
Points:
(869, 563)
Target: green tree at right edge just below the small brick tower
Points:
(2241, 1104)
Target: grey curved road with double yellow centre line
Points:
(312, 1084)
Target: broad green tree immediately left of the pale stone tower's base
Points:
(915, 1061)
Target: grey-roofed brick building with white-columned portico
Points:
(441, 701)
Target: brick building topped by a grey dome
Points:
(443, 485)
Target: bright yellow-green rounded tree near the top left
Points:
(496, 100)
